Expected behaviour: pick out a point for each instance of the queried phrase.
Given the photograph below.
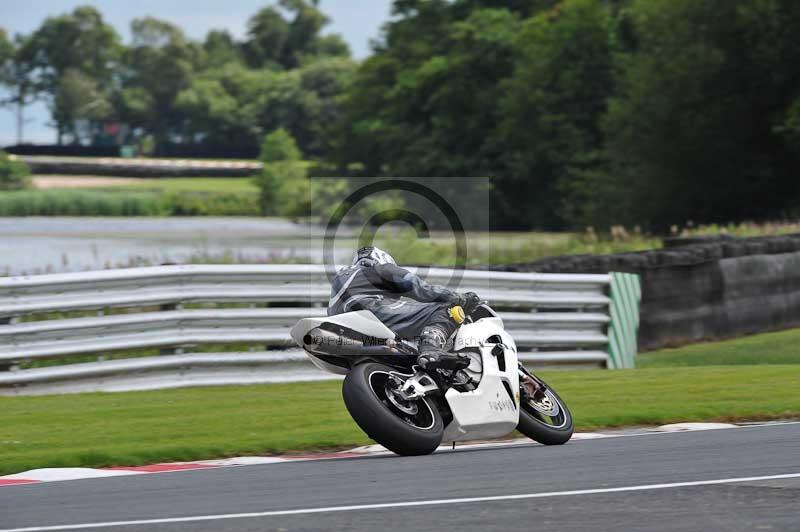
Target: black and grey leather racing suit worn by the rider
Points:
(380, 288)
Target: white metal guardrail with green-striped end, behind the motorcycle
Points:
(46, 321)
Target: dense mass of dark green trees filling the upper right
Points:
(648, 112)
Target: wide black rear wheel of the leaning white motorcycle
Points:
(404, 427)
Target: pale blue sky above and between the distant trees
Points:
(358, 21)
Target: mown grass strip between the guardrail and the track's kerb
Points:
(133, 428)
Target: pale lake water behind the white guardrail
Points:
(61, 244)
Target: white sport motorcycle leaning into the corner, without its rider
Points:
(410, 411)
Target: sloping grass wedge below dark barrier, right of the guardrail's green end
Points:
(781, 347)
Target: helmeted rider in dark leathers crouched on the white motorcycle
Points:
(374, 282)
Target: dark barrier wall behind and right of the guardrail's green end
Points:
(703, 291)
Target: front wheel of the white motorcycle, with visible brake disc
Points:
(544, 417)
